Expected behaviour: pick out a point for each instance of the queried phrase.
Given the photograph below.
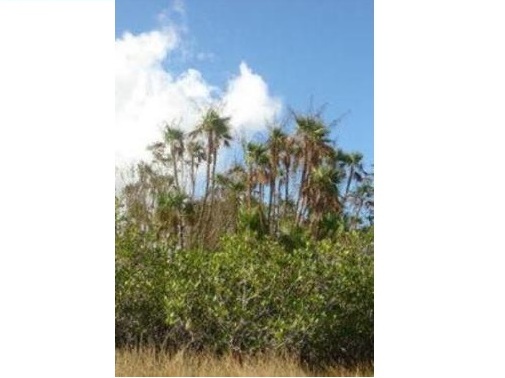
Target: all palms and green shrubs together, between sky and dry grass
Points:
(272, 254)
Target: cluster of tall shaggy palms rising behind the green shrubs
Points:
(292, 182)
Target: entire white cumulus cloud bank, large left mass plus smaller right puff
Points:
(149, 94)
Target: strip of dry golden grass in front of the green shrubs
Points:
(147, 363)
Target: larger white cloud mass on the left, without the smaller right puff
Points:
(147, 94)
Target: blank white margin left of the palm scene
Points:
(57, 182)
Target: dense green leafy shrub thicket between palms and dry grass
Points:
(252, 296)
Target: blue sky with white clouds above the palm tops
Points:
(257, 59)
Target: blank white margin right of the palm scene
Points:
(439, 117)
